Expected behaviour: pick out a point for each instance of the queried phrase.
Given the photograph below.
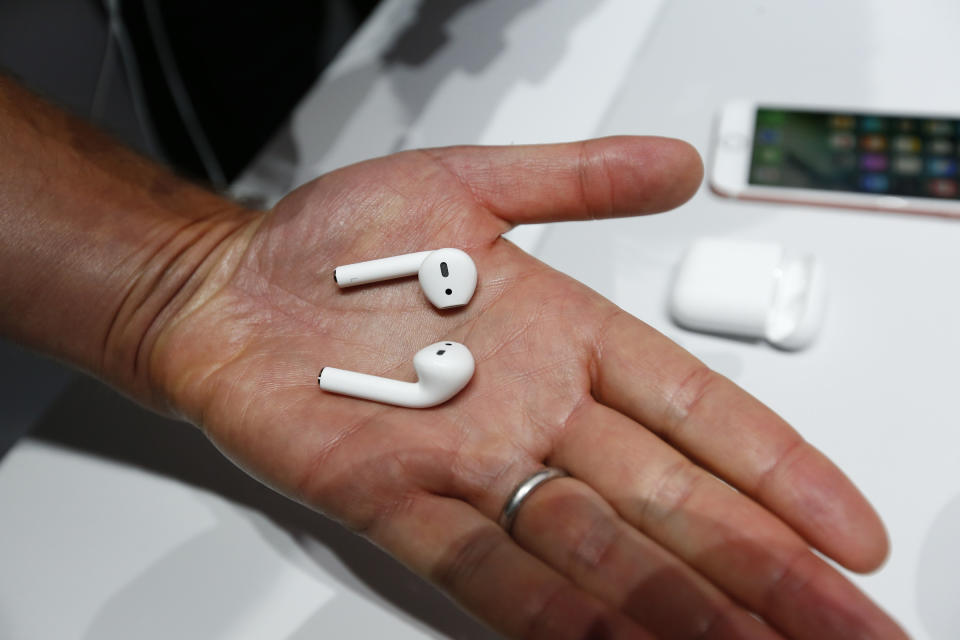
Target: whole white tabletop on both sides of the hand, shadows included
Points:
(131, 538)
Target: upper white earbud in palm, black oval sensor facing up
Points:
(448, 276)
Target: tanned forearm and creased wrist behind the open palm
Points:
(101, 248)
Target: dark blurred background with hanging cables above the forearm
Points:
(198, 84)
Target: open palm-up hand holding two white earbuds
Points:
(647, 533)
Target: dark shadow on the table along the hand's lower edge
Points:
(95, 420)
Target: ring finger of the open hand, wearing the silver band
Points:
(571, 528)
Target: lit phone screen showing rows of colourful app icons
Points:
(895, 155)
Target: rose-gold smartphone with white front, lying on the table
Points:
(838, 157)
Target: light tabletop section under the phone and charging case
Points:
(878, 391)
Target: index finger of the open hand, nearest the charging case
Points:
(644, 375)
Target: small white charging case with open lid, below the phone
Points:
(749, 289)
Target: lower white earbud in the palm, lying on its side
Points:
(443, 369)
